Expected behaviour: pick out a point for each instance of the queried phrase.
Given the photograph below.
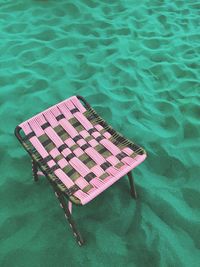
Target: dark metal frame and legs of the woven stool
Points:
(37, 169)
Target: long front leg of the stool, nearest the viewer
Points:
(68, 216)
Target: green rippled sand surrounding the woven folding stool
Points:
(137, 63)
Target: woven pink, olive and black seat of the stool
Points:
(78, 150)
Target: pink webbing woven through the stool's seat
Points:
(60, 114)
